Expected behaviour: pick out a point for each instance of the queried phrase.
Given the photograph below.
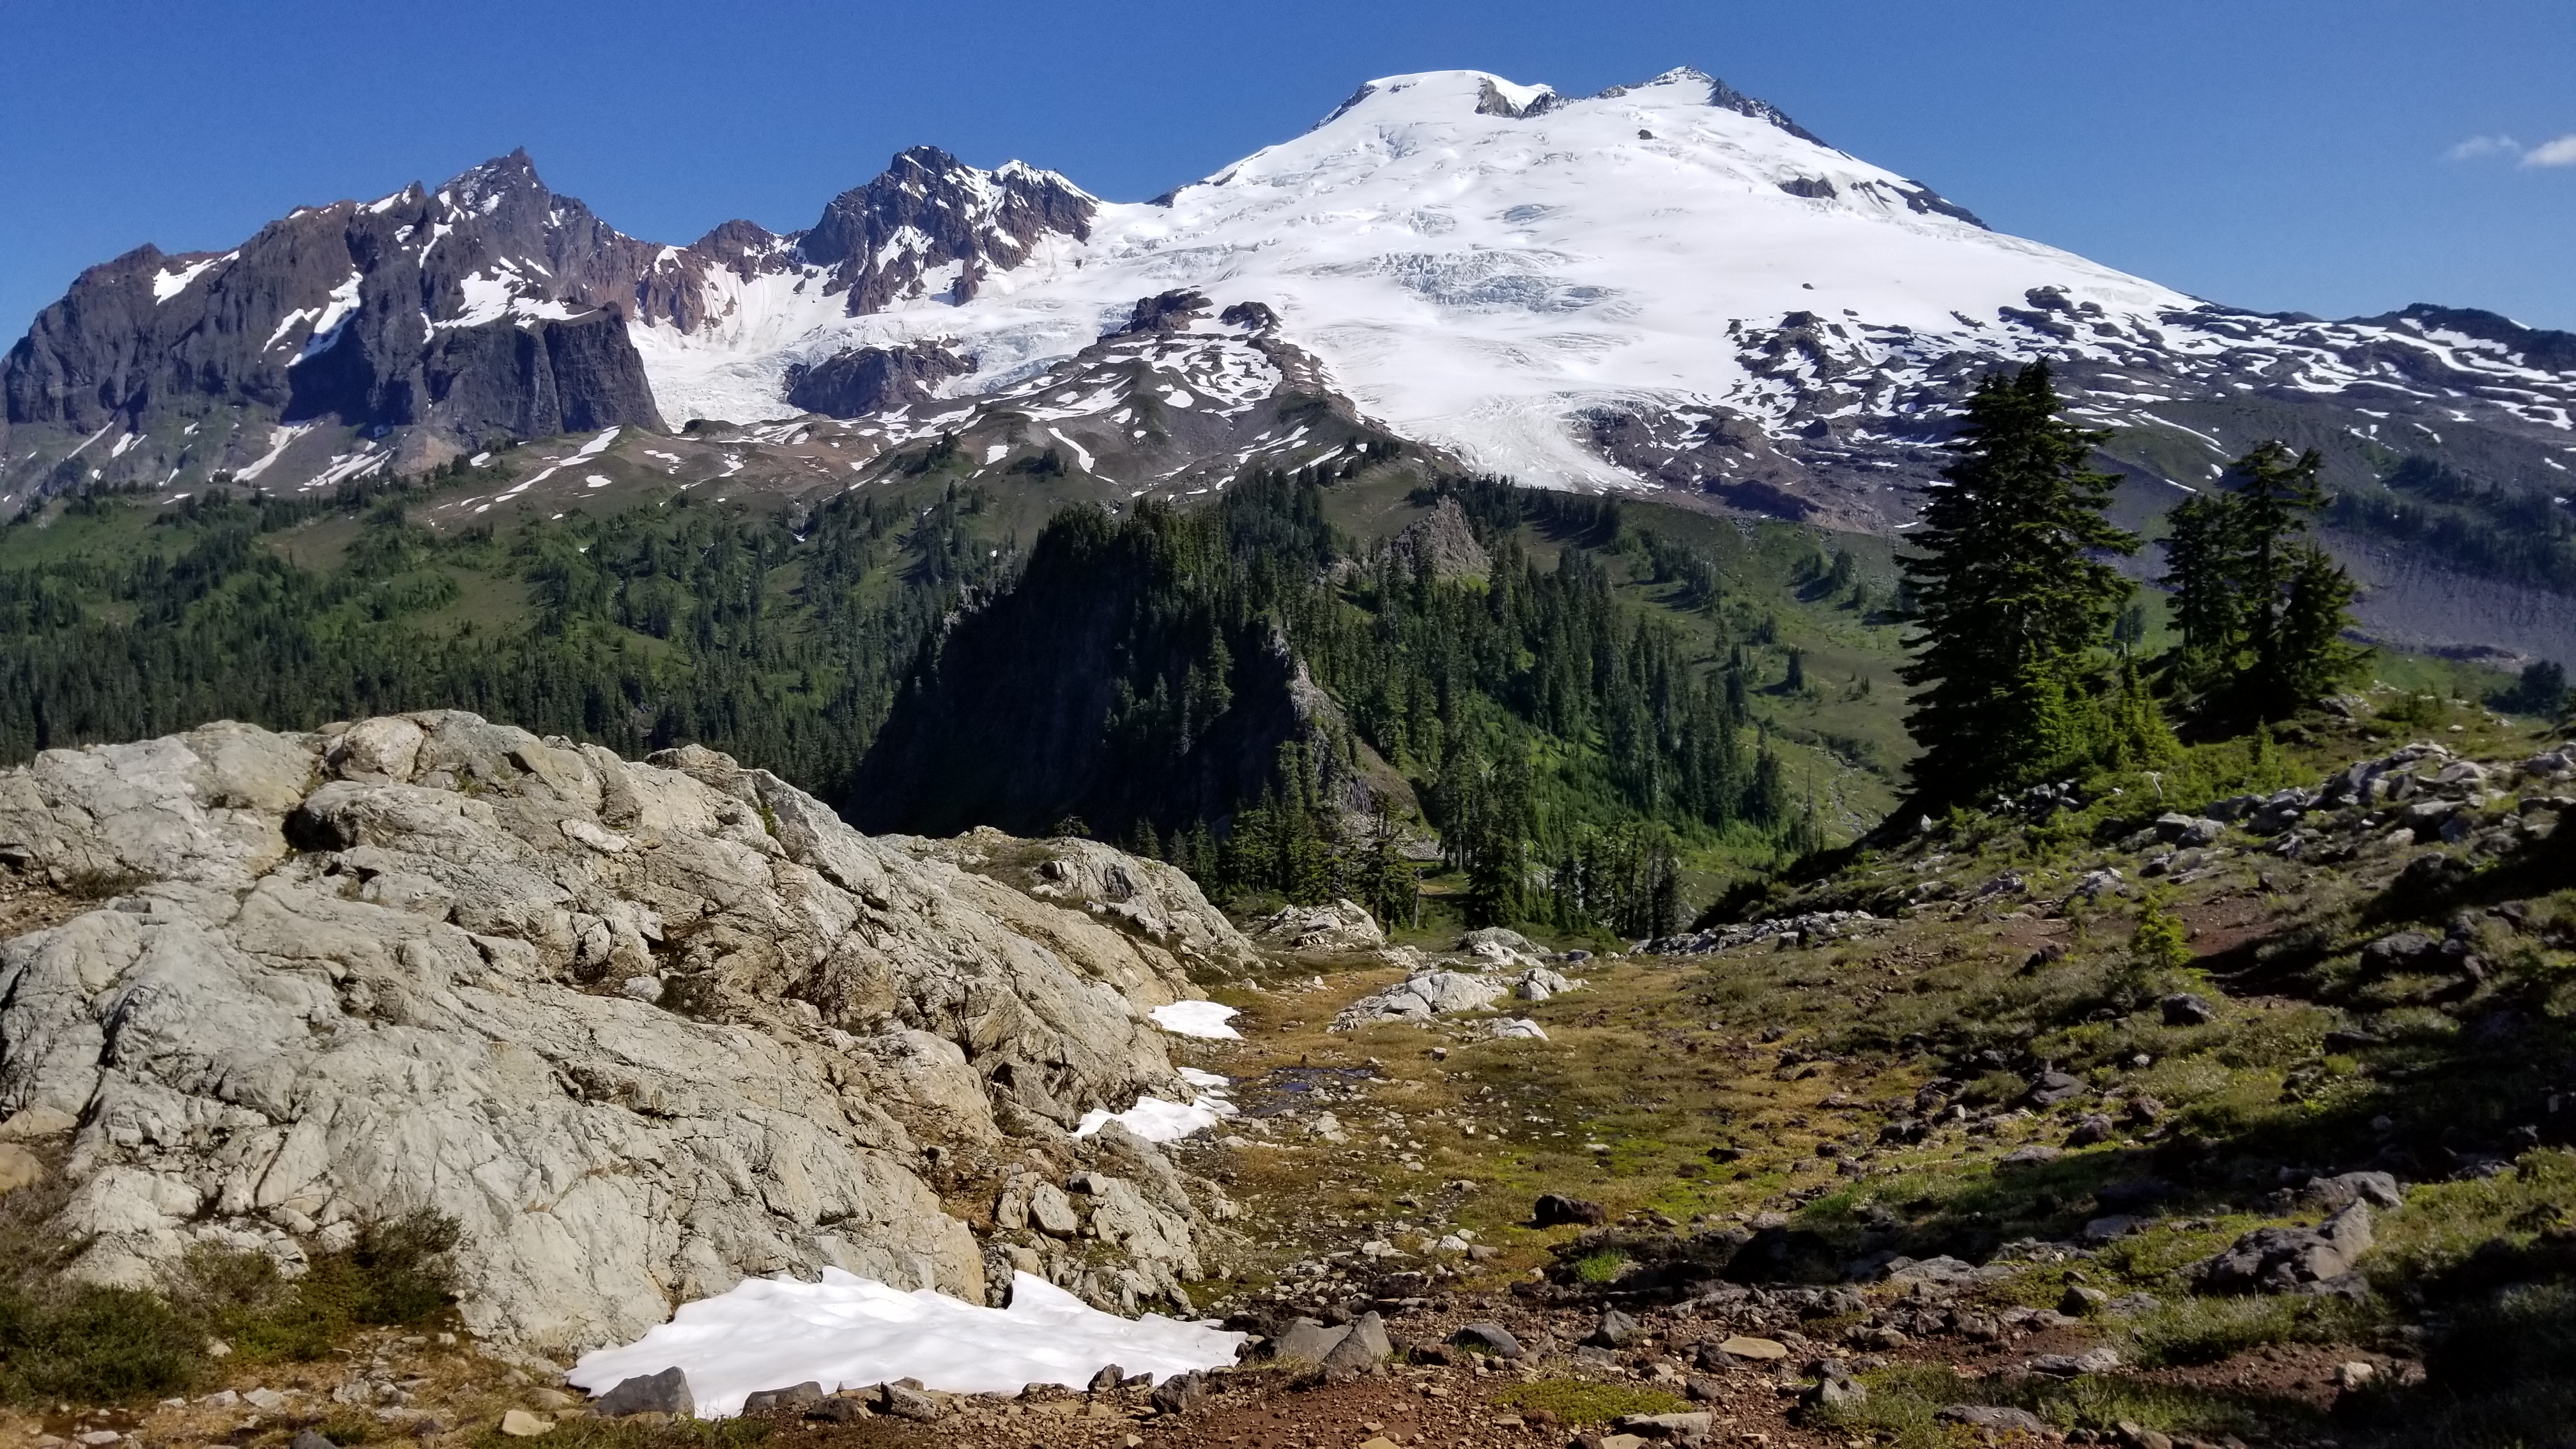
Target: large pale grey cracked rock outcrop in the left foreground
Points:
(640, 1027)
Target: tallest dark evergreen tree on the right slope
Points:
(2011, 602)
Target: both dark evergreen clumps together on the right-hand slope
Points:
(2023, 654)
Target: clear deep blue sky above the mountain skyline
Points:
(2335, 159)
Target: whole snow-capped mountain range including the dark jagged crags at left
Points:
(1655, 287)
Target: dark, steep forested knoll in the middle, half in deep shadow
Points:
(1562, 741)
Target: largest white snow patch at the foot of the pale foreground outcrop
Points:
(851, 1332)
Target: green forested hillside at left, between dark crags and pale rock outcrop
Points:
(640, 630)
